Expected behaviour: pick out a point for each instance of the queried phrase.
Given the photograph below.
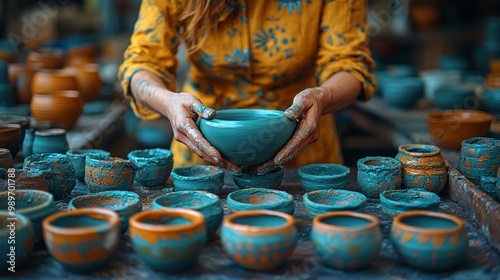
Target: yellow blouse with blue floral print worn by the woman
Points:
(260, 58)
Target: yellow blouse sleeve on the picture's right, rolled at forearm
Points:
(343, 44)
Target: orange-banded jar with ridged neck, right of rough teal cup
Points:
(423, 167)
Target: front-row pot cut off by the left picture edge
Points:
(24, 240)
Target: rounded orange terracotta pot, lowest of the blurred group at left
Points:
(59, 108)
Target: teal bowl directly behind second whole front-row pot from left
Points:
(206, 203)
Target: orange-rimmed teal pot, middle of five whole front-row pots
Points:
(259, 239)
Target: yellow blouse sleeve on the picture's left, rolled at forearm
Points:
(153, 47)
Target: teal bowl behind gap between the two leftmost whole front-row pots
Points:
(125, 203)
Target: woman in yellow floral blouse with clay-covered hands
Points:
(309, 57)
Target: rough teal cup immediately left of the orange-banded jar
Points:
(377, 174)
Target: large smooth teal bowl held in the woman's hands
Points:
(248, 136)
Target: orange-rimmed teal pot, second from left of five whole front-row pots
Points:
(168, 239)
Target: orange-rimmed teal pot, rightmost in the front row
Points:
(429, 240)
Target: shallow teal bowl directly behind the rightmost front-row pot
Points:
(396, 202)
